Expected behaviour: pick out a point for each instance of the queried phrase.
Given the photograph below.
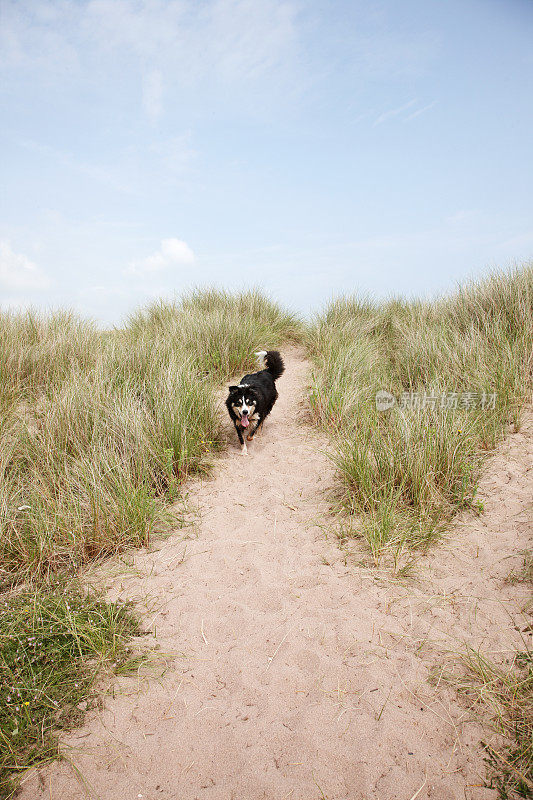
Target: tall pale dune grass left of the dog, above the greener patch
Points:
(99, 428)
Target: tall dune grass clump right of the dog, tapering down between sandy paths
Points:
(406, 471)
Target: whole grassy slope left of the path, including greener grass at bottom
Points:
(98, 431)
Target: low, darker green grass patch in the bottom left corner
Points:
(54, 644)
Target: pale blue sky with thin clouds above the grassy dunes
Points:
(310, 148)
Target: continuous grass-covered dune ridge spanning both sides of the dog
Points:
(99, 430)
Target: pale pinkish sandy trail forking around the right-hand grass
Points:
(302, 675)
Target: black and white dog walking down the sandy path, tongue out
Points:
(252, 400)
